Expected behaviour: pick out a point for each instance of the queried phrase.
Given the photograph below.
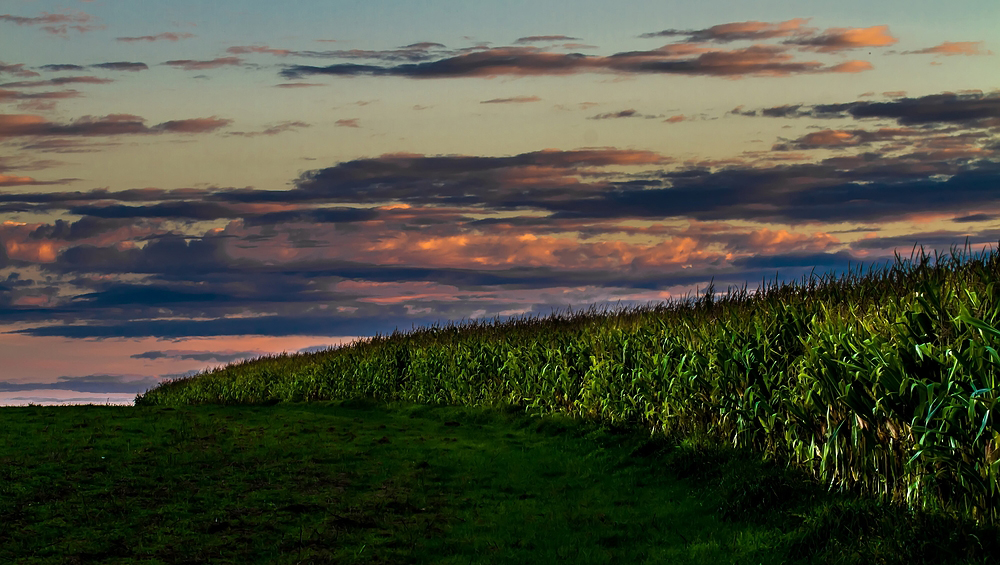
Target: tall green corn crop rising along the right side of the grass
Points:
(884, 381)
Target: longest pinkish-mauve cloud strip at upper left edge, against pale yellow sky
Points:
(26, 125)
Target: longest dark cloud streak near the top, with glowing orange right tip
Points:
(756, 60)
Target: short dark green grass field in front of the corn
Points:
(360, 482)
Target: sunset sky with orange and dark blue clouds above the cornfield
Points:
(186, 184)
